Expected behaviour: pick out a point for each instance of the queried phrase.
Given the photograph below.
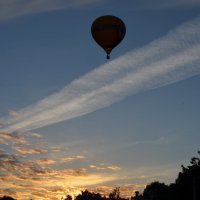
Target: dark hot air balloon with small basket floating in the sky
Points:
(108, 31)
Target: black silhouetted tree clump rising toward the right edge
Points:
(186, 186)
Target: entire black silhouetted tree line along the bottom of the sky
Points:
(185, 187)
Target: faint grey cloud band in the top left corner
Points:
(13, 8)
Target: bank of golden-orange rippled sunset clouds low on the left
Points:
(38, 171)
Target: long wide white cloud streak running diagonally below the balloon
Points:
(164, 61)
